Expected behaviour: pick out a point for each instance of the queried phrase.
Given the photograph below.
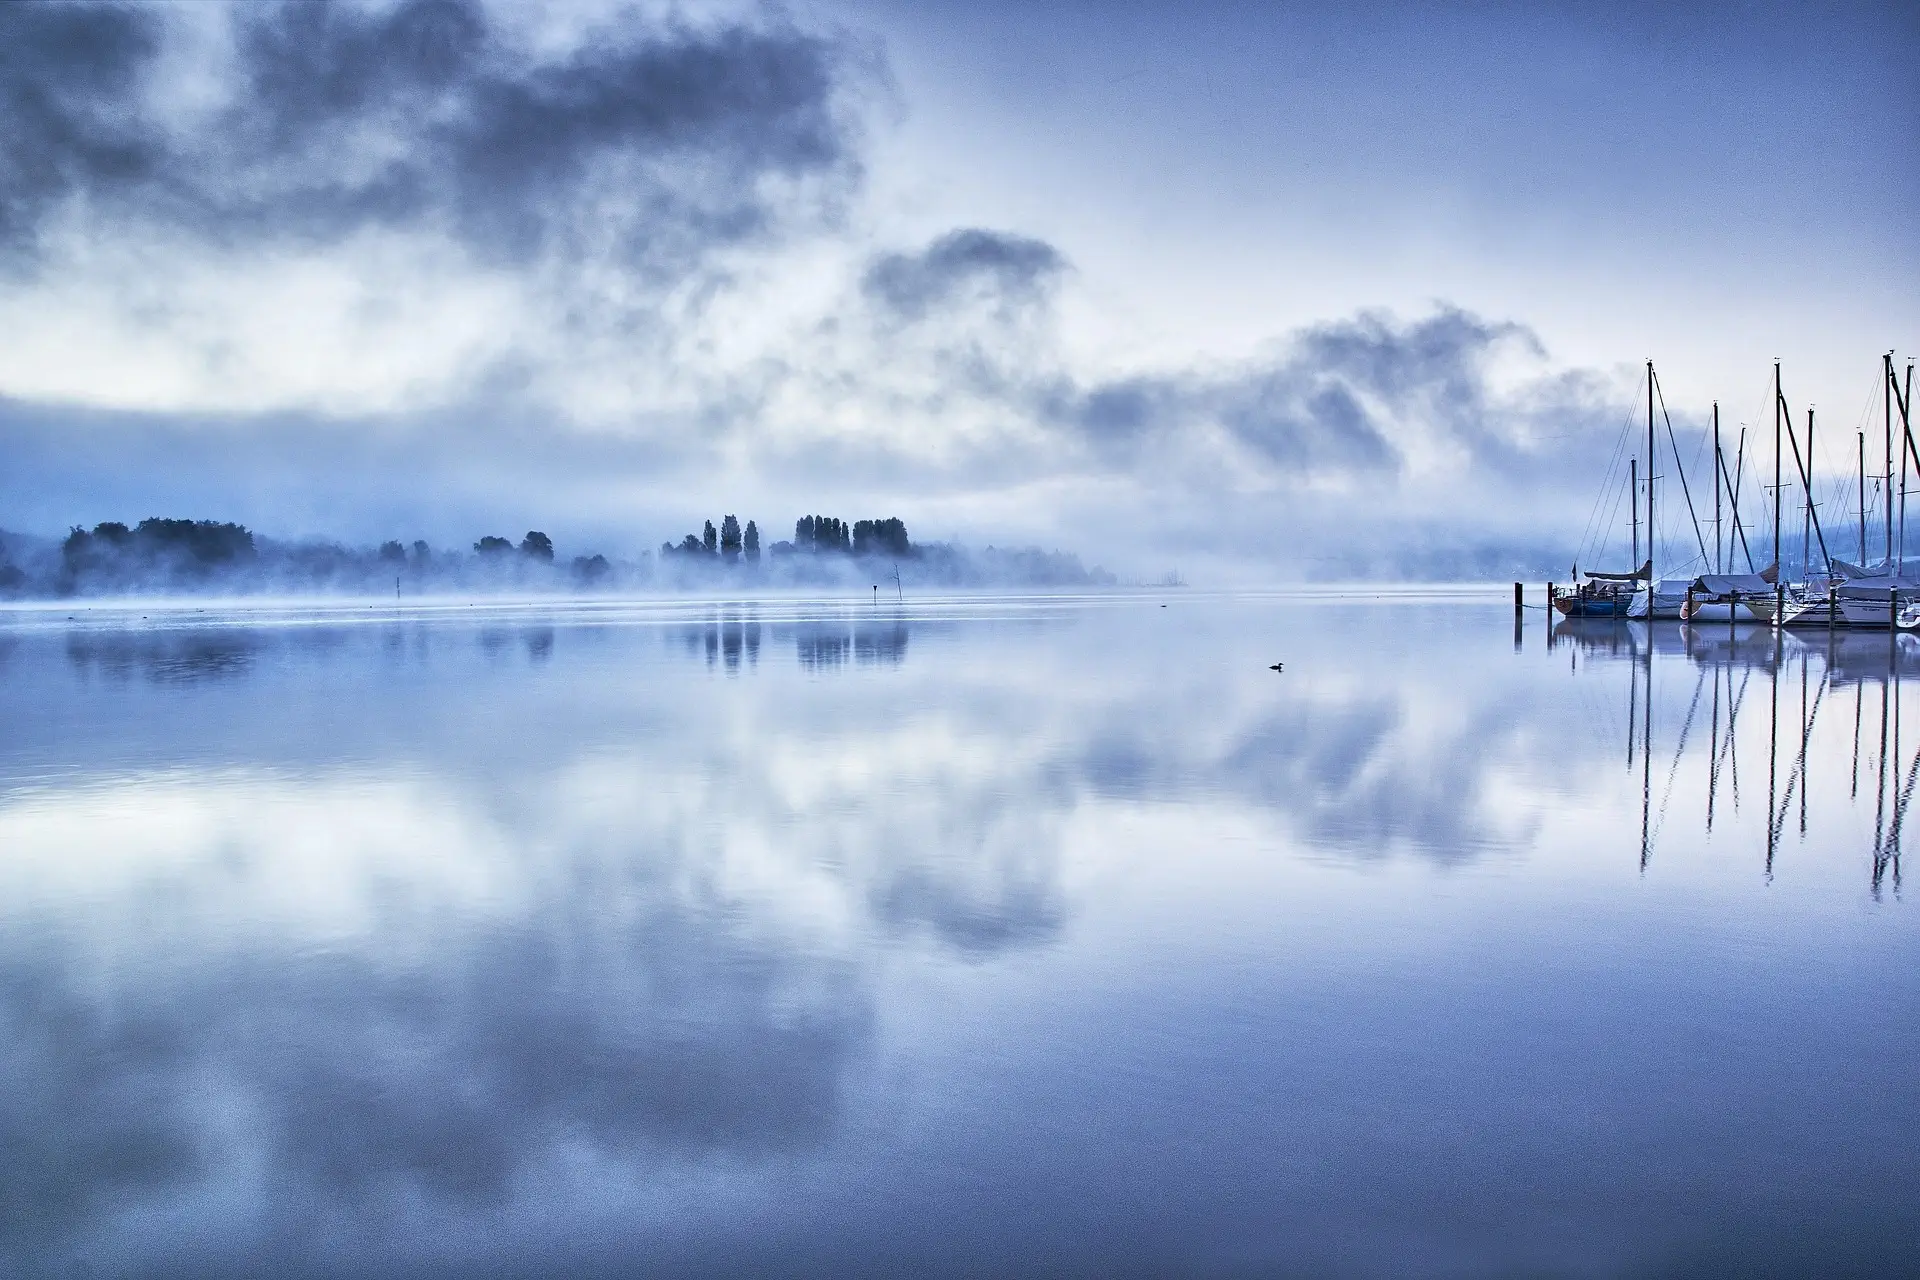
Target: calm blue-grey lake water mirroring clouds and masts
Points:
(967, 937)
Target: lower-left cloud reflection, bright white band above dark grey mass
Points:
(368, 982)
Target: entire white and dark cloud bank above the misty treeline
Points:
(277, 262)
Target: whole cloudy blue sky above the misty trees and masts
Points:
(1236, 287)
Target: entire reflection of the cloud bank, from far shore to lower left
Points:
(408, 962)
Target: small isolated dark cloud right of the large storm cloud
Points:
(959, 266)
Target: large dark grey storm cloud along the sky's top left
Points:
(648, 141)
